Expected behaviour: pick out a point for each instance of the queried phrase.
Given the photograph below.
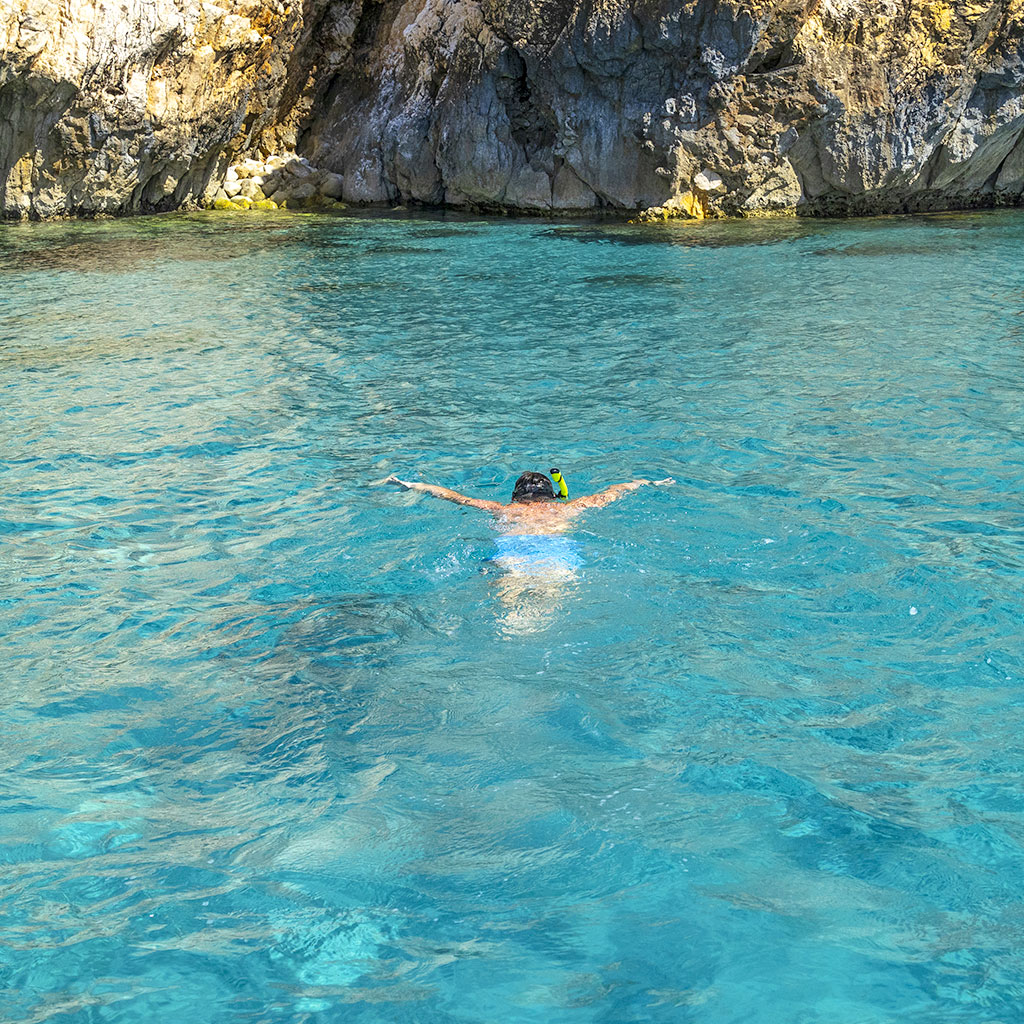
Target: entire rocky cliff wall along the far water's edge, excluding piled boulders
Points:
(701, 106)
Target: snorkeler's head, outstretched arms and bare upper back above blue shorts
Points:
(535, 508)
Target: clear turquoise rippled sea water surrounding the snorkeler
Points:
(282, 747)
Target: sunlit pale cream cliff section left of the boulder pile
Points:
(125, 106)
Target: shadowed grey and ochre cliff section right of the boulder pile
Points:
(864, 106)
